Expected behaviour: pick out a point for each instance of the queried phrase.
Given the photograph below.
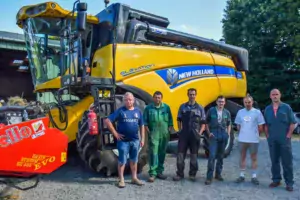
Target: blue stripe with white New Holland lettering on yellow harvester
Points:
(179, 75)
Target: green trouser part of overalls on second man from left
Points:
(158, 141)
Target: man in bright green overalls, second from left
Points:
(158, 122)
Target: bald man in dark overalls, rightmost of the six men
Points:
(280, 124)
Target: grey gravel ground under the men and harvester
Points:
(74, 182)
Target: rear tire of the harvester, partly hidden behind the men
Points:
(233, 109)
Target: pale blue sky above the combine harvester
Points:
(198, 17)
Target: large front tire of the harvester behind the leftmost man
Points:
(105, 162)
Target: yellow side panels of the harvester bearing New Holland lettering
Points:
(172, 71)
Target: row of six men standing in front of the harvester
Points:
(277, 124)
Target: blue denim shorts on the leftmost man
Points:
(128, 147)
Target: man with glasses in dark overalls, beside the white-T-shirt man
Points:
(218, 128)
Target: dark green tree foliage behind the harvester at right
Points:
(270, 31)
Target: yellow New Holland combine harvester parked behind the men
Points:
(81, 62)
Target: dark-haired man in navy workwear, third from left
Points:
(191, 124)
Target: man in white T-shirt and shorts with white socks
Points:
(249, 122)
